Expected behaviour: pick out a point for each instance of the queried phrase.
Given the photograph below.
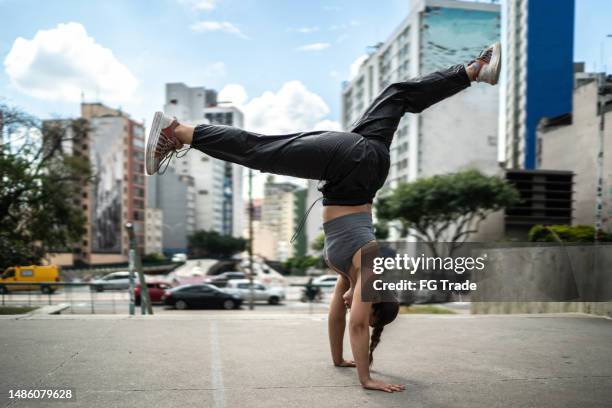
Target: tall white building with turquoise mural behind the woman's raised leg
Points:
(457, 133)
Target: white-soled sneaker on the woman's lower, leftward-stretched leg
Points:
(162, 142)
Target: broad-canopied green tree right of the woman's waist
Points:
(445, 208)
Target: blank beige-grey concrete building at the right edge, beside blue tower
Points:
(570, 142)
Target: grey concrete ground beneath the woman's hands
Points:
(222, 359)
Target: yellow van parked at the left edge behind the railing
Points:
(30, 274)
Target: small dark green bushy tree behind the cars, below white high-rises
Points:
(203, 244)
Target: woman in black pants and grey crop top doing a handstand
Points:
(351, 166)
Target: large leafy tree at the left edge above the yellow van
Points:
(41, 186)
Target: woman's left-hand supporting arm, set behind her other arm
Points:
(336, 323)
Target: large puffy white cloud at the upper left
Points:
(60, 63)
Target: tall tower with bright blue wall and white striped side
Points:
(540, 47)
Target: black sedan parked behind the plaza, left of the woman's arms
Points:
(200, 296)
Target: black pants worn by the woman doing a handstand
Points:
(352, 165)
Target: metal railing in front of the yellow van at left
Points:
(72, 293)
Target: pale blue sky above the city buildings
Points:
(258, 44)
